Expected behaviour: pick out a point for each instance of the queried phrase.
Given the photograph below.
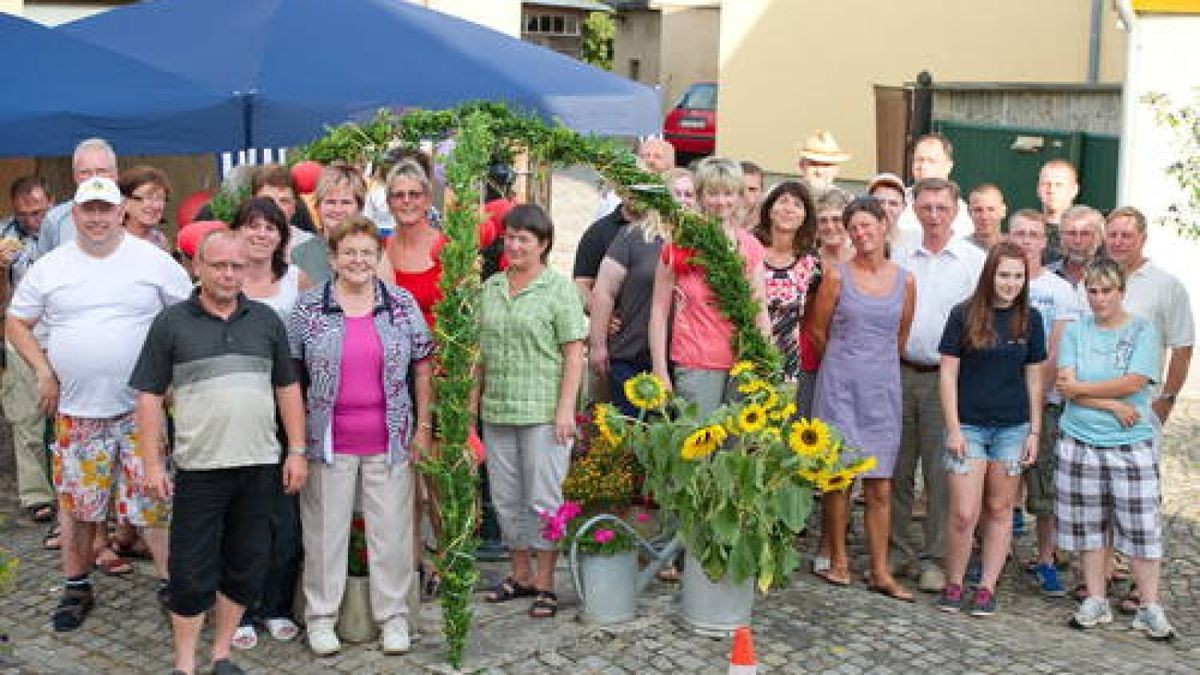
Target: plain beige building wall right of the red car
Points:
(793, 67)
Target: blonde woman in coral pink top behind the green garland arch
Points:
(700, 348)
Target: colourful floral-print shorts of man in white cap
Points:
(95, 465)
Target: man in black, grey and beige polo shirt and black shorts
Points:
(226, 360)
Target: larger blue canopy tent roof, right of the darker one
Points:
(301, 65)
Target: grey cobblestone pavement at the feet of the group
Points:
(807, 628)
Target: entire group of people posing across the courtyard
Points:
(229, 411)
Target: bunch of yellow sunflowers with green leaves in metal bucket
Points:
(740, 481)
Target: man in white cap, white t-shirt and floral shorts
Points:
(97, 296)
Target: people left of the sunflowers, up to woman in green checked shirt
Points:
(230, 410)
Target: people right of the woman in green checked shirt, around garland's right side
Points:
(1021, 365)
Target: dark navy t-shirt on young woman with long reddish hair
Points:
(992, 383)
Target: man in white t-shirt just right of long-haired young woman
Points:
(1058, 304)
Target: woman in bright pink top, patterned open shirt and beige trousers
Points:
(362, 341)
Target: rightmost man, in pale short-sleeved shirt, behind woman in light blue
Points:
(1155, 295)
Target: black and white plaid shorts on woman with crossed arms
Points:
(1103, 489)
